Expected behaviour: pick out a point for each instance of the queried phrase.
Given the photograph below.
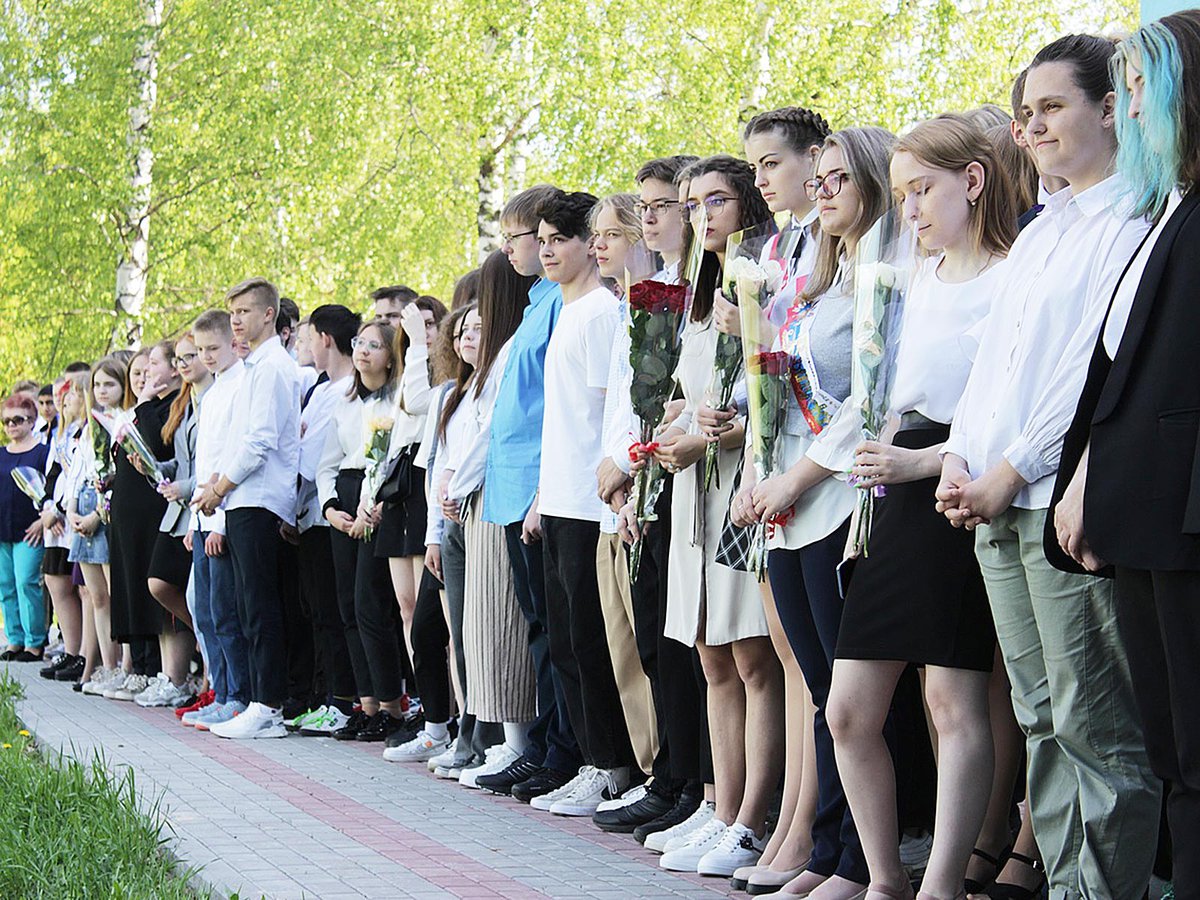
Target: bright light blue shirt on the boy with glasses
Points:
(514, 451)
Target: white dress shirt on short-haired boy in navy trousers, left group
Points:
(263, 451)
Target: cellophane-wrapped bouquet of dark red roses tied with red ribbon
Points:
(658, 311)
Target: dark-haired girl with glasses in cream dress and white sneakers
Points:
(711, 607)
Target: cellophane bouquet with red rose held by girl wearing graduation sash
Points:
(767, 382)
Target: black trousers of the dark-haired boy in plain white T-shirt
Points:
(579, 646)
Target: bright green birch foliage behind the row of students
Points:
(335, 146)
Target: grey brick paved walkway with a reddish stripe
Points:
(313, 818)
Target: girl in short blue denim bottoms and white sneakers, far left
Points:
(88, 519)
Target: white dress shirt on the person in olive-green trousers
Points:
(1036, 347)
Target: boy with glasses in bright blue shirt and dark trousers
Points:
(507, 463)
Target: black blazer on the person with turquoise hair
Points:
(1142, 413)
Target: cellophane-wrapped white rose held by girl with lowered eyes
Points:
(884, 268)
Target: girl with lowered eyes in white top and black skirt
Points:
(919, 598)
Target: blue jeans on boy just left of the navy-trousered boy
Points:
(217, 622)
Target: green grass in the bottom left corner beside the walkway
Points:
(74, 830)
